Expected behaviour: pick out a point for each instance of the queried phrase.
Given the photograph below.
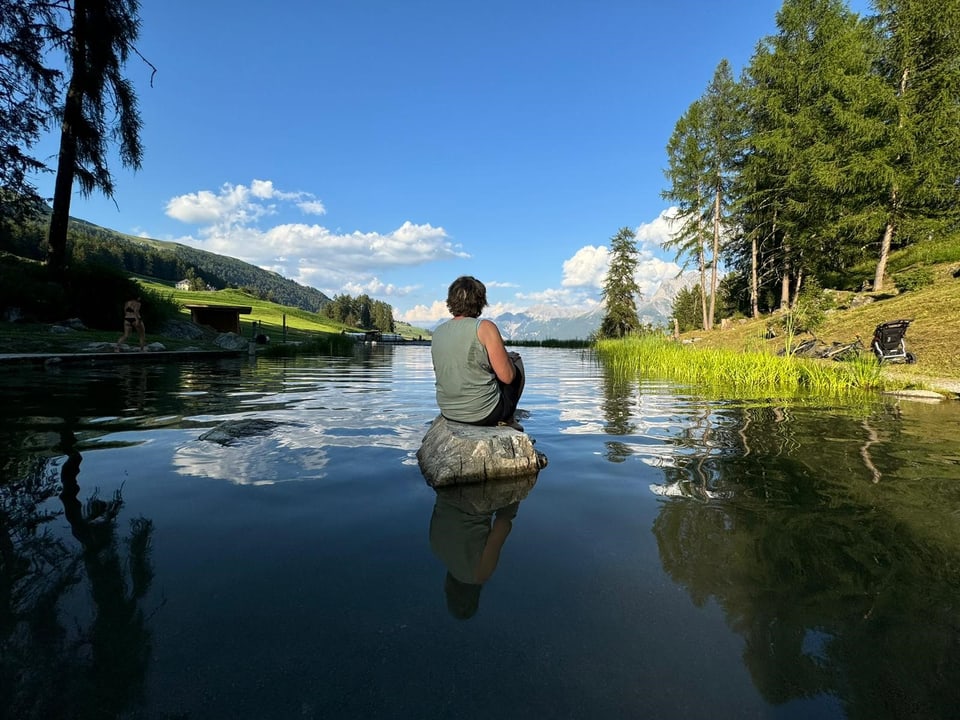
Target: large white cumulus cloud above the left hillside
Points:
(311, 254)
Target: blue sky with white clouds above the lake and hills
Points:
(389, 146)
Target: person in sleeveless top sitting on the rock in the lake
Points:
(477, 380)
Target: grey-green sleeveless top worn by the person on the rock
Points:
(467, 388)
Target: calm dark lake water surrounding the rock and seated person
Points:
(680, 557)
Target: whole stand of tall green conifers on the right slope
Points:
(840, 142)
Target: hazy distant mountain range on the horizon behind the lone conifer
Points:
(549, 325)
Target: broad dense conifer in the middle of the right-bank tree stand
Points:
(812, 111)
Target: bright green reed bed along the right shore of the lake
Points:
(744, 372)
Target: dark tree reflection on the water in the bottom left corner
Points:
(52, 666)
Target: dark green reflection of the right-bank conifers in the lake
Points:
(824, 588)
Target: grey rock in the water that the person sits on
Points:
(454, 453)
